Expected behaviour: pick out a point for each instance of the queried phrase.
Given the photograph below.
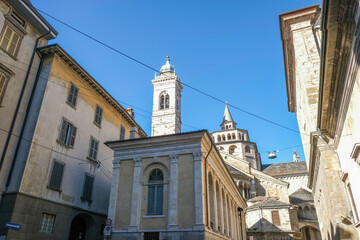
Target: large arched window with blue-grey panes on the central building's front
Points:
(155, 193)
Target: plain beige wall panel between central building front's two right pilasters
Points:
(186, 195)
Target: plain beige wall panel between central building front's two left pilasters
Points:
(122, 212)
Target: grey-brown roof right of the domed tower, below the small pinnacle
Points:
(287, 168)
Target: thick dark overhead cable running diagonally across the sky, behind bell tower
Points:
(154, 69)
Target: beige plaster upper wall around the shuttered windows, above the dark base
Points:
(54, 107)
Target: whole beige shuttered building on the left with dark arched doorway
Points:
(60, 186)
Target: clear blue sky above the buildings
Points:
(229, 49)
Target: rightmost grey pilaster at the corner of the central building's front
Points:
(199, 213)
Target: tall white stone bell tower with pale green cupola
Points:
(166, 116)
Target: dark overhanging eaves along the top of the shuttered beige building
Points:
(56, 49)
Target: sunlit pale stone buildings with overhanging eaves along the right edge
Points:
(320, 54)
